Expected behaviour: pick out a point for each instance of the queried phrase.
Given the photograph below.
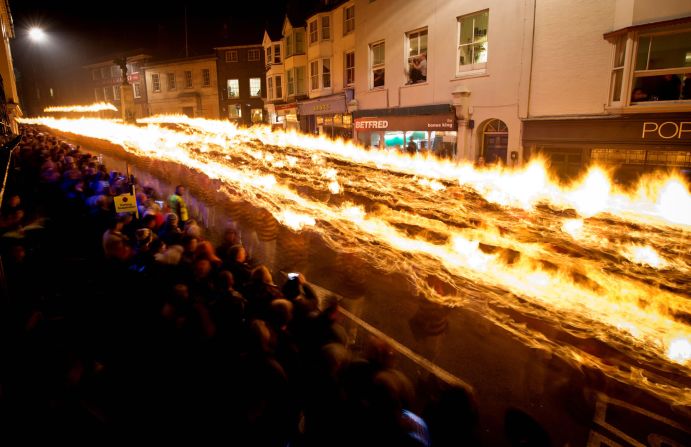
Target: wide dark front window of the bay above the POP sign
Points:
(661, 67)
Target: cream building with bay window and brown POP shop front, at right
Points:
(621, 95)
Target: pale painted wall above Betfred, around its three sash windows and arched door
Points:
(495, 94)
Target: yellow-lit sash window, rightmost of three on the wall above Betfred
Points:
(472, 41)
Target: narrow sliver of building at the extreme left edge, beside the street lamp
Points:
(10, 99)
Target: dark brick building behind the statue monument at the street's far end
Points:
(105, 79)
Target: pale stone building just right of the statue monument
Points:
(186, 86)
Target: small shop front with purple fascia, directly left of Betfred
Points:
(327, 116)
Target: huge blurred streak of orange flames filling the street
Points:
(495, 235)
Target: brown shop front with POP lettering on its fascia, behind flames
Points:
(630, 144)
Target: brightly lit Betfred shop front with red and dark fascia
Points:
(433, 134)
